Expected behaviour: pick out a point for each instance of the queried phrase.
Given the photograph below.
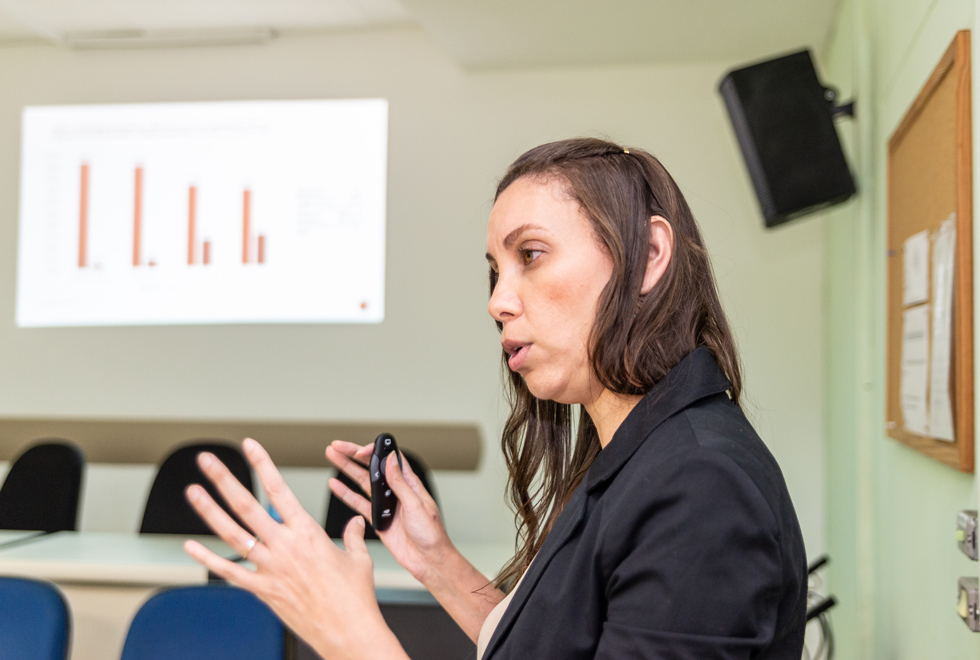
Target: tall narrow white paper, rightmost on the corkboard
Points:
(943, 261)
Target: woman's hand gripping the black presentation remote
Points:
(416, 538)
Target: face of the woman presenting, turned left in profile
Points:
(550, 269)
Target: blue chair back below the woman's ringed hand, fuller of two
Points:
(204, 623)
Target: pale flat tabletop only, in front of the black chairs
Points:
(110, 558)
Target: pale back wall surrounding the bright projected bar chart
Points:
(452, 133)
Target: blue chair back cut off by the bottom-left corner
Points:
(35, 622)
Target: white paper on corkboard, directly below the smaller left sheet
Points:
(915, 376)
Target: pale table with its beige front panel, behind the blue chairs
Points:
(107, 576)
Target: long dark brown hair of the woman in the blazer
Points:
(635, 340)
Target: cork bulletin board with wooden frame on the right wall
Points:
(930, 178)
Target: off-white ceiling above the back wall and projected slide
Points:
(476, 33)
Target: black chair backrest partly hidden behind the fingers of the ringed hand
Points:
(167, 510)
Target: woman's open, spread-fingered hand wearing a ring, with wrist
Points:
(324, 594)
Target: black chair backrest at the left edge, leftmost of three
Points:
(42, 488)
